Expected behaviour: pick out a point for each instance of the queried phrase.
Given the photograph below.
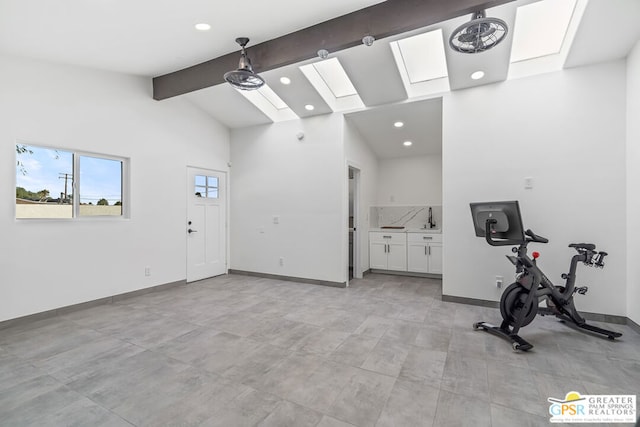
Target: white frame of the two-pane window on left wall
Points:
(125, 187)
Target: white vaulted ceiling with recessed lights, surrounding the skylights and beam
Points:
(153, 38)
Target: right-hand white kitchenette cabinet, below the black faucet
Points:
(424, 253)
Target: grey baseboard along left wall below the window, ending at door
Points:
(88, 304)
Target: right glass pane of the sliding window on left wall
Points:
(100, 186)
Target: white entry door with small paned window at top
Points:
(206, 224)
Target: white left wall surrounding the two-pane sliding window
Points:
(46, 264)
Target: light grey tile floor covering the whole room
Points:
(244, 351)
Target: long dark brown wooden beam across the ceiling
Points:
(381, 20)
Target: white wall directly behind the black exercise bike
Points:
(567, 131)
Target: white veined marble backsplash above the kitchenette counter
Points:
(404, 216)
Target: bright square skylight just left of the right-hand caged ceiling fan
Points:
(423, 56)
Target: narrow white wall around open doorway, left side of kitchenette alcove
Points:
(360, 155)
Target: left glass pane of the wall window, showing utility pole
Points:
(44, 182)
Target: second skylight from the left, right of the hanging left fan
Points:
(331, 81)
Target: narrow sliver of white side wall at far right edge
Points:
(633, 183)
